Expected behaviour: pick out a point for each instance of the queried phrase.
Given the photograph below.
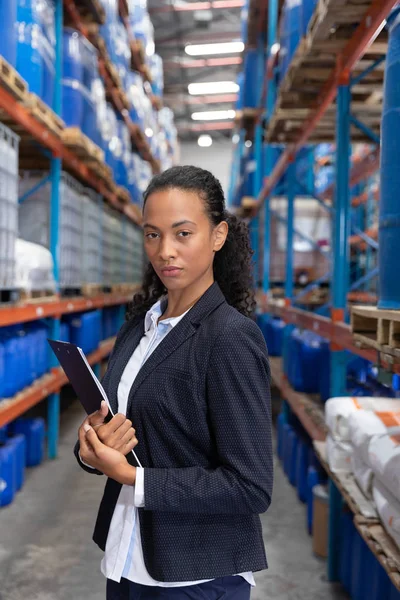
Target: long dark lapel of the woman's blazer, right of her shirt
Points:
(210, 300)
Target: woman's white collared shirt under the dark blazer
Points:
(124, 554)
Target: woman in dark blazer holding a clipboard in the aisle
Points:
(190, 370)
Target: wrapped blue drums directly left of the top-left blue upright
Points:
(35, 57)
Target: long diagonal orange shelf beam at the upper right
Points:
(370, 25)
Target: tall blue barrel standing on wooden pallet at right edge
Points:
(389, 211)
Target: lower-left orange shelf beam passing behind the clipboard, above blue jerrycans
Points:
(11, 409)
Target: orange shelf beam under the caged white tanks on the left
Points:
(31, 311)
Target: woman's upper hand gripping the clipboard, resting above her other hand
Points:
(117, 433)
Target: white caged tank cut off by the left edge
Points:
(8, 206)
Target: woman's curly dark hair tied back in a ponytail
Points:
(233, 268)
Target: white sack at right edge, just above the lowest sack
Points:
(384, 458)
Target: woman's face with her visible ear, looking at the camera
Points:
(179, 239)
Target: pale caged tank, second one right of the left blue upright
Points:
(91, 237)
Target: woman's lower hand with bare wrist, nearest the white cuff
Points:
(103, 458)
